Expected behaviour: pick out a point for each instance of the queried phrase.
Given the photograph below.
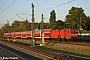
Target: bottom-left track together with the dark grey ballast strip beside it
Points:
(8, 53)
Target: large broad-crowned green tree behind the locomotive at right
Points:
(76, 18)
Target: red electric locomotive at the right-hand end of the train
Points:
(68, 34)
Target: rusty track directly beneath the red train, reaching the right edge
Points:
(53, 41)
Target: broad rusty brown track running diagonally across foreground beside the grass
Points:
(41, 53)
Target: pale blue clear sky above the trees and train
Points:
(9, 9)
